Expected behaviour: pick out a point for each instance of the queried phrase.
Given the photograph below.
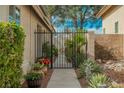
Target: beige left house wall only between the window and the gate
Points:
(29, 21)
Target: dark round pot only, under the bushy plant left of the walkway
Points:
(34, 83)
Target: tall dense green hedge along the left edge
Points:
(11, 53)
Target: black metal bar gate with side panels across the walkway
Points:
(64, 49)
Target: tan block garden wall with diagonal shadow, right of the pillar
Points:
(109, 47)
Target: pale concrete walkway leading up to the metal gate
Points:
(64, 78)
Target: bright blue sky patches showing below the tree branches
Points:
(88, 25)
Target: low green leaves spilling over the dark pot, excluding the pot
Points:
(33, 76)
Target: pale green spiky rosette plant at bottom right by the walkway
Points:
(99, 80)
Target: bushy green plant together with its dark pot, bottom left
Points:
(34, 79)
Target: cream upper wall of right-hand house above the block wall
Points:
(115, 14)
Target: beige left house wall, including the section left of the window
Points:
(29, 21)
